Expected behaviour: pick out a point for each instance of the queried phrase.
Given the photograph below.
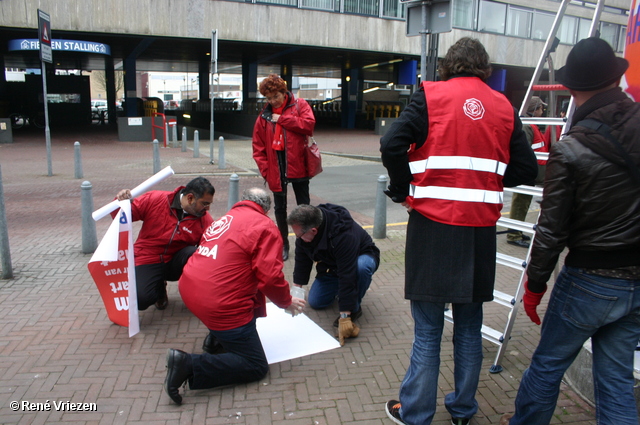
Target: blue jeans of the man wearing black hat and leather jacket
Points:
(584, 306)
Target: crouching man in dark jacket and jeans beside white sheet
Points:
(347, 259)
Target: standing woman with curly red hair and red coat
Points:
(279, 139)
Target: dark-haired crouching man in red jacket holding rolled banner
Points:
(173, 223)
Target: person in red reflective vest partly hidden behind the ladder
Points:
(520, 202)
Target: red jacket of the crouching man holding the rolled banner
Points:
(162, 234)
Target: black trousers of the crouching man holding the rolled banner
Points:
(151, 278)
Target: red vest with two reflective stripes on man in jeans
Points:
(457, 173)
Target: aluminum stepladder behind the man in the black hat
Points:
(512, 302)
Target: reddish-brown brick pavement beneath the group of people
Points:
(57, 344)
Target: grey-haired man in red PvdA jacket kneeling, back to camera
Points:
(238, 263)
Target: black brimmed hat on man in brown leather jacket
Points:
(591, 65)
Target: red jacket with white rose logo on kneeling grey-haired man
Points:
(238, 262)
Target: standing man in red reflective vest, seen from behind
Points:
(449, 155)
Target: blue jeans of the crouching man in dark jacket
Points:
(325, 287)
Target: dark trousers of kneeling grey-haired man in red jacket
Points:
(244, 360)
